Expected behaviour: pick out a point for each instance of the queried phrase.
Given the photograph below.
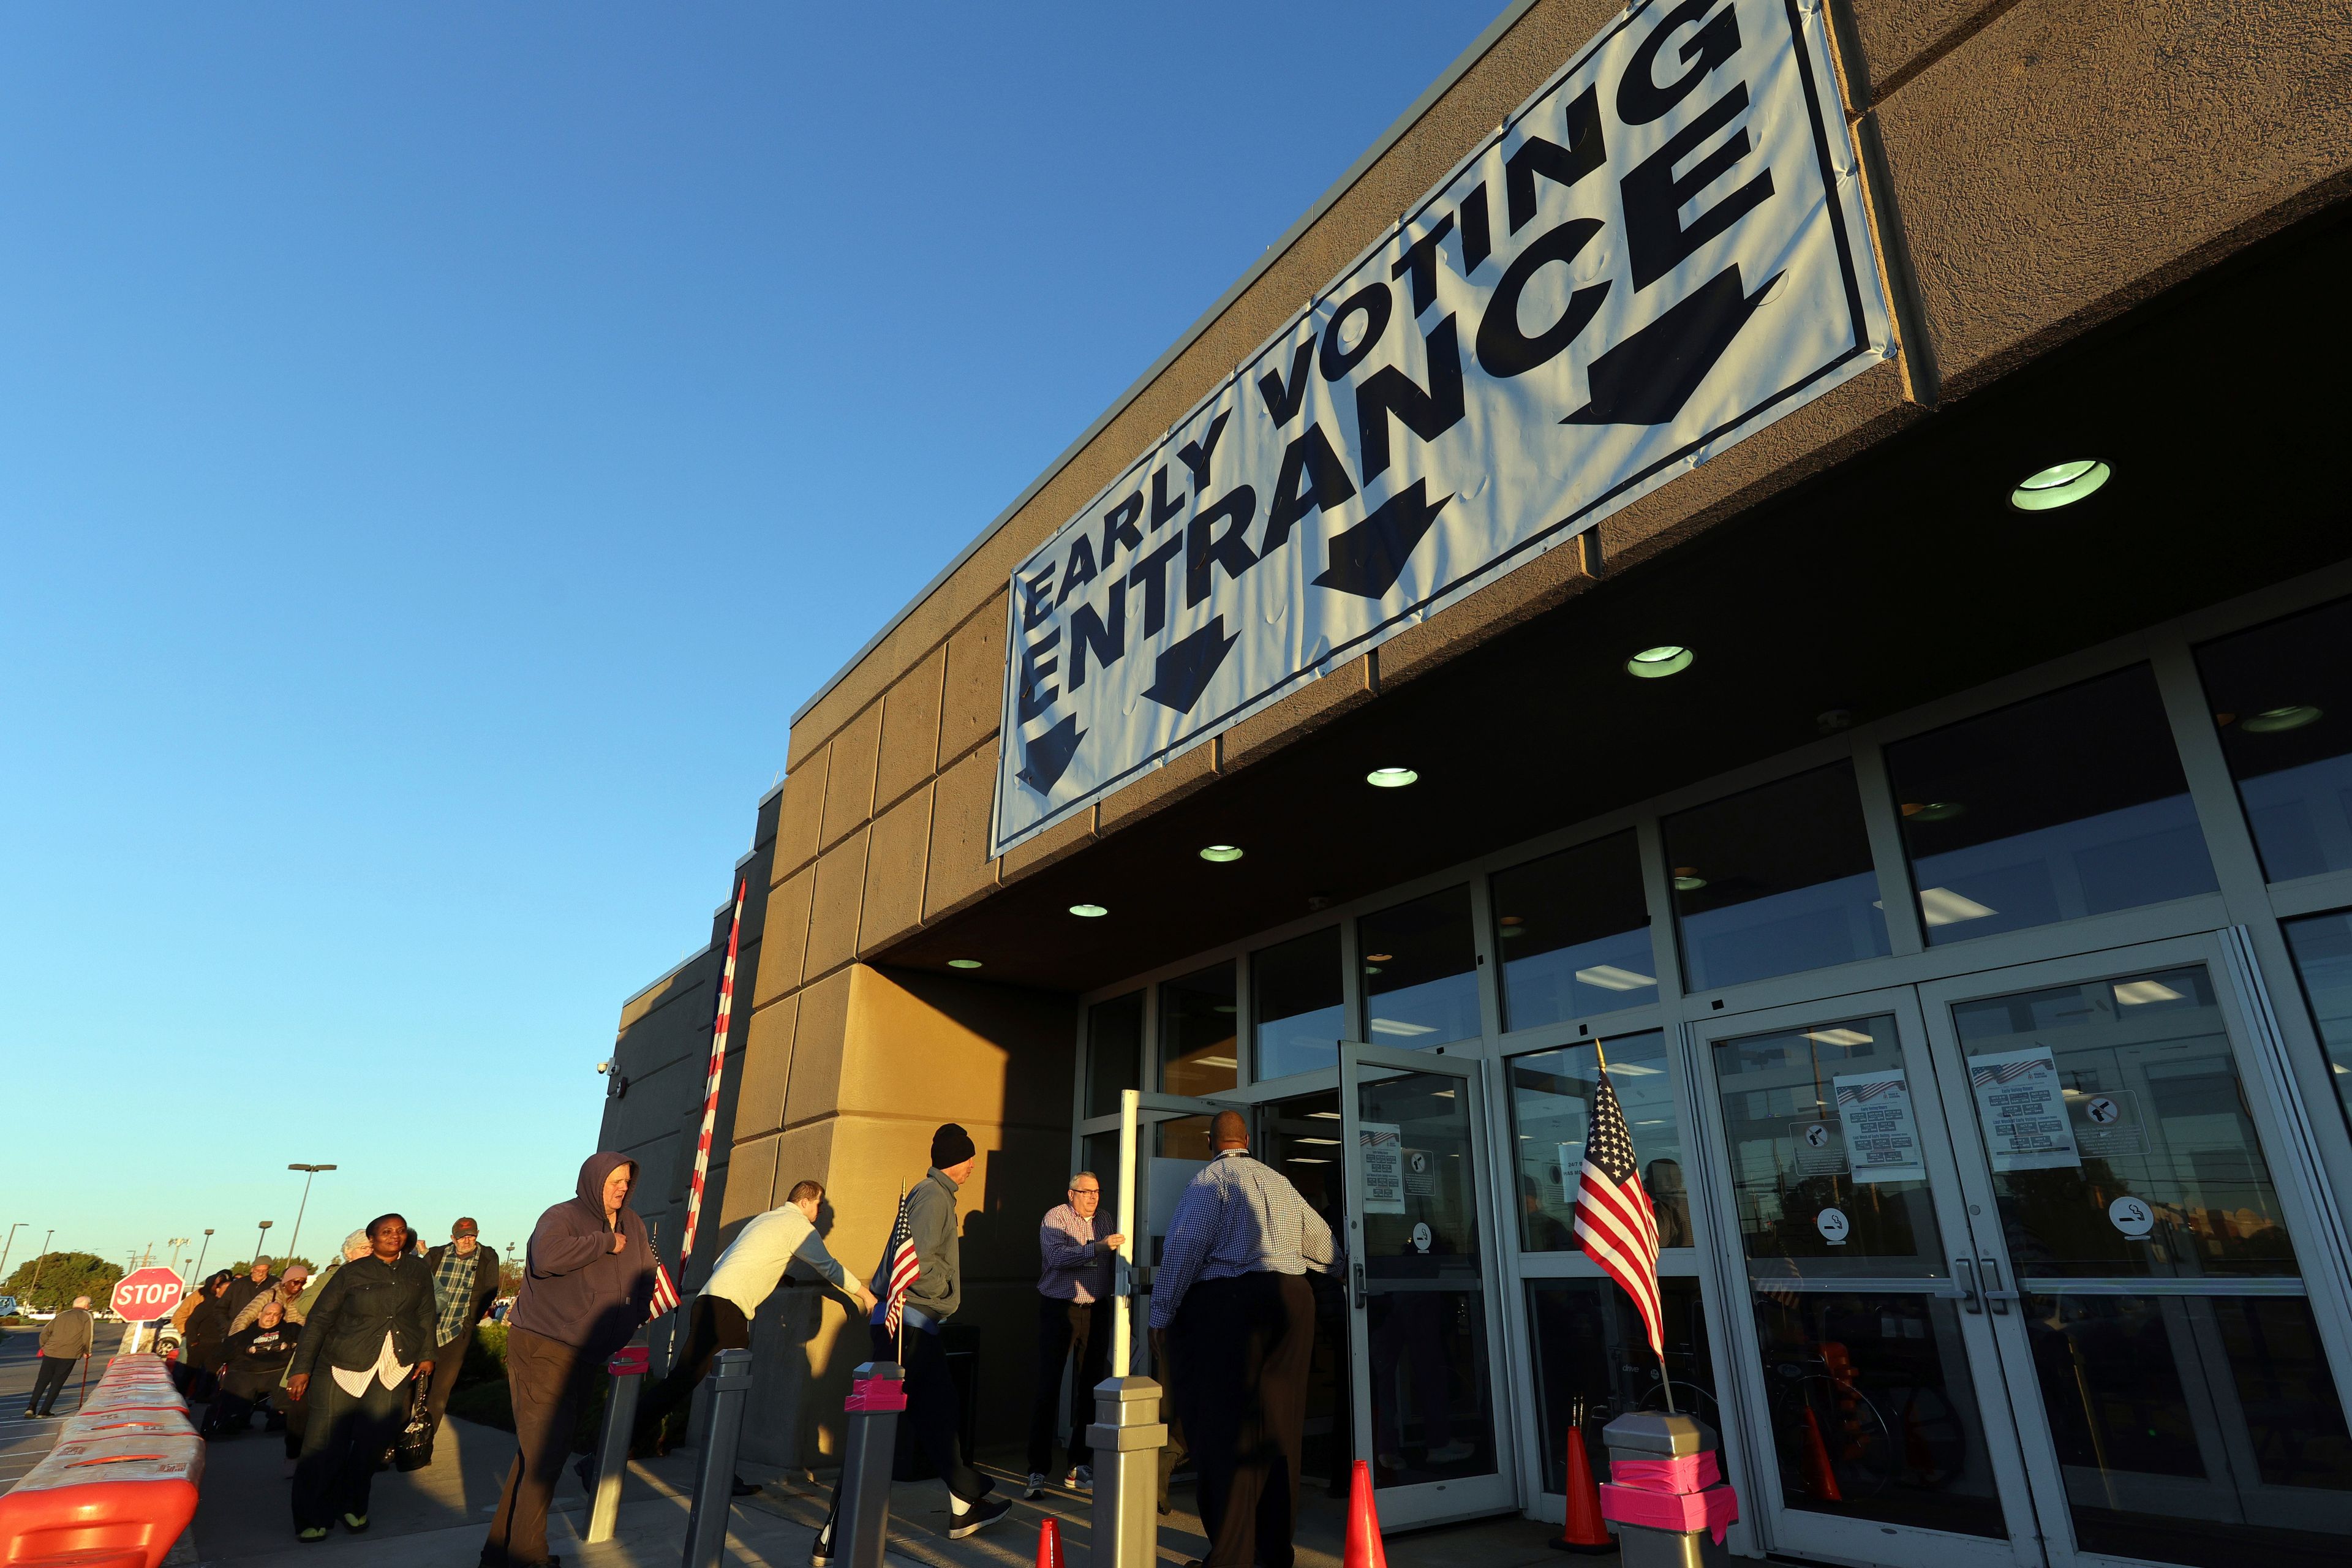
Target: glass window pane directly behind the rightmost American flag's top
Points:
(1551, 1094)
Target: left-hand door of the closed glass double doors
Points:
(1869, 1383)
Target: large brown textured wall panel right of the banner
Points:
(2073, 159)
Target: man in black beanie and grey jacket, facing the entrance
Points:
(933, 1409)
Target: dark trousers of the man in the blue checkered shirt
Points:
(1241, 1355)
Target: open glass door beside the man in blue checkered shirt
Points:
(1422, 1292)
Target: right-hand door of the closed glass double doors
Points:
(2144, 1264)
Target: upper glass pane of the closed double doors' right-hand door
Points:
(2149, 1160)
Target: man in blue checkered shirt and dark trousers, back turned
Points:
(1241, 1329)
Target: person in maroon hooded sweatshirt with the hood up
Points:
(587, 1289)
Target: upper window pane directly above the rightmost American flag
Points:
(1575, 934)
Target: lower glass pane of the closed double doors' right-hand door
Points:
(2196, 1428)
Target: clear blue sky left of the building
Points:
(441, 448)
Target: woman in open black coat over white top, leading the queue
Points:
(370, 1334)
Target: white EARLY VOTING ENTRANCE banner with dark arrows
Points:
(1657, 257)
